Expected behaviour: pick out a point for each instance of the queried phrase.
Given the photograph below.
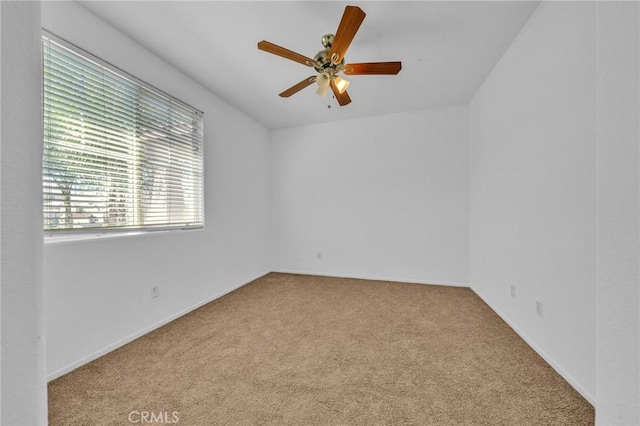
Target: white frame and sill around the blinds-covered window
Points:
(66, 234)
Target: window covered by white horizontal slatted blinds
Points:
(118, 153)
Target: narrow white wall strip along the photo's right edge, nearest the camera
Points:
(618, 190)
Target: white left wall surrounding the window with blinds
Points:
(98, 291)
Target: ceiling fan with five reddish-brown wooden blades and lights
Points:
(329, 62)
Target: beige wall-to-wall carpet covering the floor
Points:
(301, 350)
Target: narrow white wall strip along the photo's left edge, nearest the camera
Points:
(23, 389)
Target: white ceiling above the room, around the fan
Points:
(447, 49)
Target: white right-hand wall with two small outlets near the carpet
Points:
(533, 188)
